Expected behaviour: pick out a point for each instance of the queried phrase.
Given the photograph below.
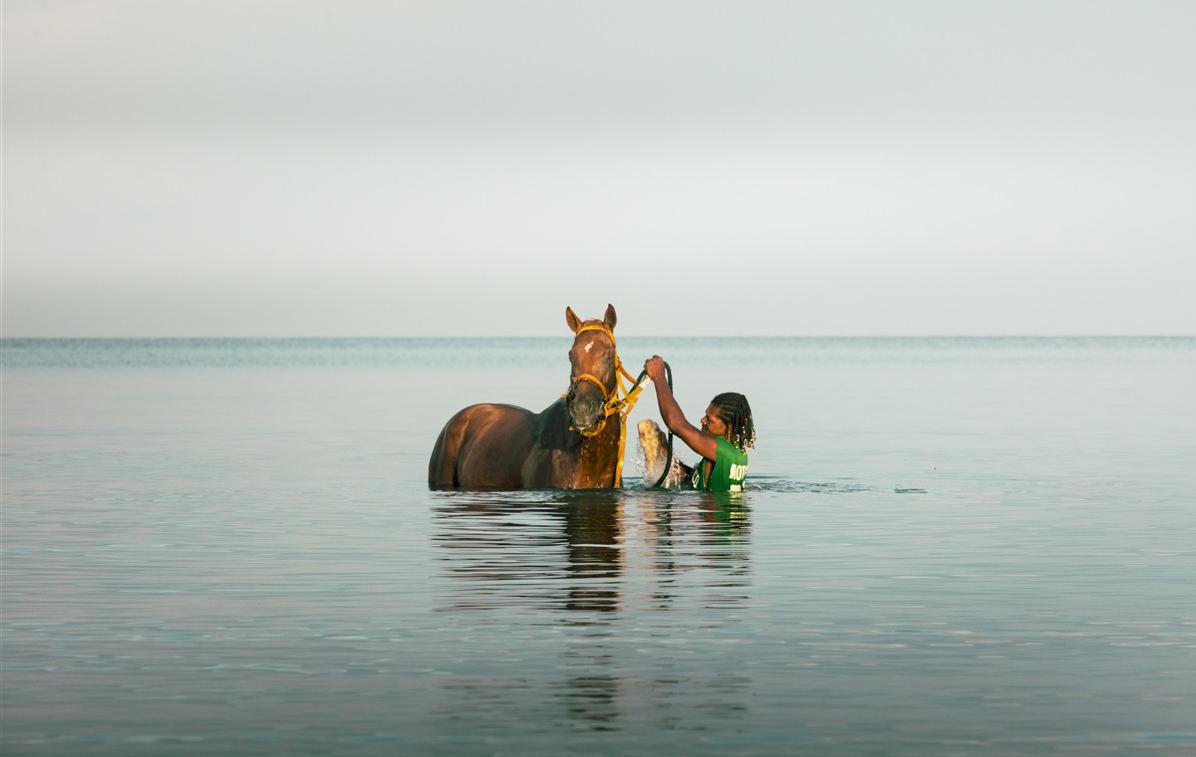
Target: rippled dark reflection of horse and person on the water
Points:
(602, 565)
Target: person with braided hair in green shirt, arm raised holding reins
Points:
(728, 434)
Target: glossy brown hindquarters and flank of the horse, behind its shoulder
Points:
(483, 447)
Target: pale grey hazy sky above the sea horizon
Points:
(270, 168)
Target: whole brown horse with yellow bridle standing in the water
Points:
(569, 445)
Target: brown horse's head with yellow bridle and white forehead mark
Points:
(593, 376)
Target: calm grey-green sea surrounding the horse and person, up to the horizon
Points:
(949, 546)
